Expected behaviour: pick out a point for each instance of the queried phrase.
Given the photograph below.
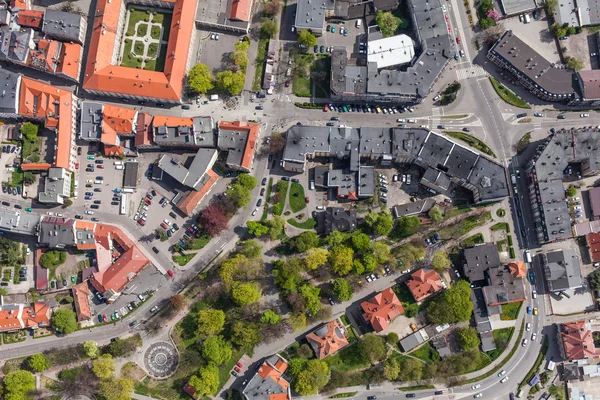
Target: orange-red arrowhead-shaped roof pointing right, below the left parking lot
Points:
(115, 276)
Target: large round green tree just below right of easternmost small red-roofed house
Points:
(454, 305)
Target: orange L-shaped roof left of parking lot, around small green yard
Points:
(54, 105)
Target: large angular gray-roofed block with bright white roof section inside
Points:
(410, 80)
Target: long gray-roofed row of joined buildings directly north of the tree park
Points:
(446, 164)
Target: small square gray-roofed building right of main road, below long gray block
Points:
(562, 270)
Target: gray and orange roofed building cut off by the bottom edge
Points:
(268, 383)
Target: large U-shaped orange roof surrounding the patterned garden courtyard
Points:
(101, 75)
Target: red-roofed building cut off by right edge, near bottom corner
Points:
(576, 341)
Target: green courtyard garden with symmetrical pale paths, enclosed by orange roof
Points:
(145, 41)
